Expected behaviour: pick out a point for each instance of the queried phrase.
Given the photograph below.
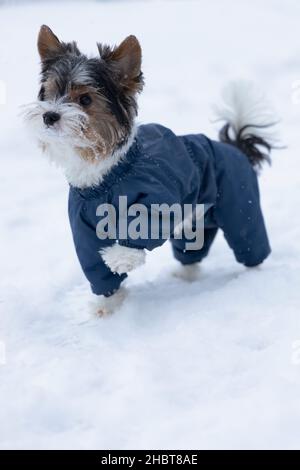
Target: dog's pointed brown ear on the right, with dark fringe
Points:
(127, 61)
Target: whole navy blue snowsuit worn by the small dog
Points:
(159, 168)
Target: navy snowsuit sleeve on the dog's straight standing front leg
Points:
(88, 247)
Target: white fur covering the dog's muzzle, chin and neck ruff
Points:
(59, 144)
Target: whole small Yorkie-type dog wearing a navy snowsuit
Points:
(84, 120)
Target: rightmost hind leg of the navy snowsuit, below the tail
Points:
(238, 212)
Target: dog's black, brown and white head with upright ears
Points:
(88, 104)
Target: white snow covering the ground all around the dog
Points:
(211, 364)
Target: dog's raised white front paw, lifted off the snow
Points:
(121, 259)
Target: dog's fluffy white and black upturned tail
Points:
(250, 121)
